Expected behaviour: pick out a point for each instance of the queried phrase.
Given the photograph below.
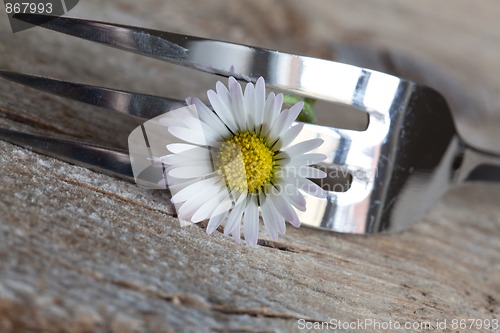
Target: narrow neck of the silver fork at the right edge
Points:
(476, 164)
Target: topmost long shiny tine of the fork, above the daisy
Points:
(301, 75)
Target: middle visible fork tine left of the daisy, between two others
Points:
(137, 105)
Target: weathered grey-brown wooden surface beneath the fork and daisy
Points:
(83, 252)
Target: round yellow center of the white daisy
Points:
(245, 162)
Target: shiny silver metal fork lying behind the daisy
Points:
(408, 157)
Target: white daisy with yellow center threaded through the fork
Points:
(234, 162)
